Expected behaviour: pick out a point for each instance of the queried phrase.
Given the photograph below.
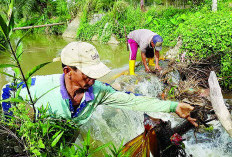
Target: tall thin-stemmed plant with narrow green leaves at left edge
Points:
(15, 54)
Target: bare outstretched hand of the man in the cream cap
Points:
(183, 110)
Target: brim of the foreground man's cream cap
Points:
(95, 71)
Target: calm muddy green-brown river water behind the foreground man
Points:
(40, 48)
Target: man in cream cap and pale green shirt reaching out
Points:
(76, 93)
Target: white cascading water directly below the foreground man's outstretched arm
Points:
(110, 124)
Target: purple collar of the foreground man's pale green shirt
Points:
(88, 94)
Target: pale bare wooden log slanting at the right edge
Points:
(218, 103)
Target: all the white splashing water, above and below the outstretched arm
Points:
(109, 124)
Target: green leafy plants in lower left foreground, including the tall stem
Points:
(40, 135)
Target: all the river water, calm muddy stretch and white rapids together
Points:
(109, 124)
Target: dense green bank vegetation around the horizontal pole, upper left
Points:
(40, 12)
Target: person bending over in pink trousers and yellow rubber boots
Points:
(147, 41)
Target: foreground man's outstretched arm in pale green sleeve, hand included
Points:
(147, 104)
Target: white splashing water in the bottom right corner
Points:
(210, 144)
